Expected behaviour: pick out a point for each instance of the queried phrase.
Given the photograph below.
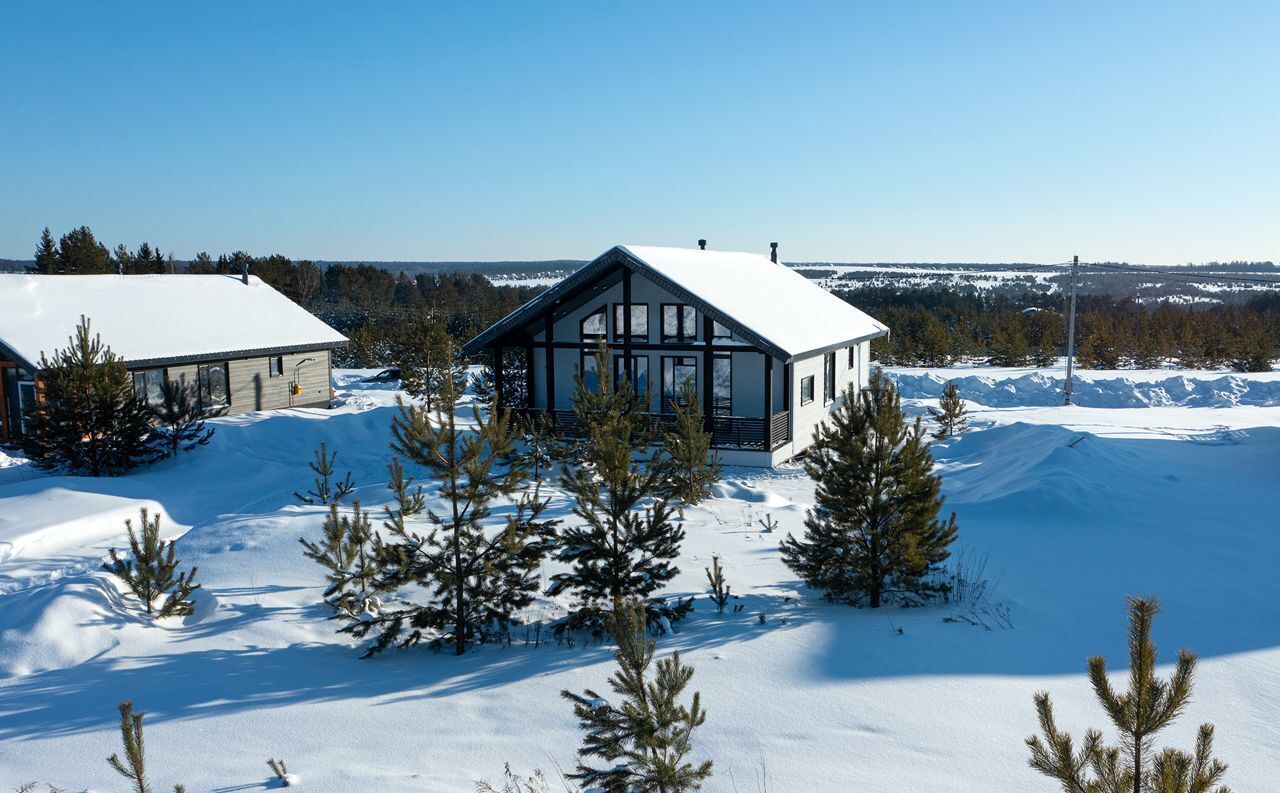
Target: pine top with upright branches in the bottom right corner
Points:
(1139, 716)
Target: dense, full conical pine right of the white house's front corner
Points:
(875, 530)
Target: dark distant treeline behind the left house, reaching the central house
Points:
(371, 305)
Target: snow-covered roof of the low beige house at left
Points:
(152, 319)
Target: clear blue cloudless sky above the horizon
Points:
(1146, 132)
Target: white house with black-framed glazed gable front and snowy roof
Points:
(769, 351)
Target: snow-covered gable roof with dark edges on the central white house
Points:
(785, 313)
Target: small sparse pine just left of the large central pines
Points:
(348, 551)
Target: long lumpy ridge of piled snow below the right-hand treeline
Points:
(1119, 392)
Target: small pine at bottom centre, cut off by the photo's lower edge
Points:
(646, 741)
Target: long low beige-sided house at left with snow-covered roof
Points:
(237, 343)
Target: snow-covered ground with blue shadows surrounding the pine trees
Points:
(1144, 488)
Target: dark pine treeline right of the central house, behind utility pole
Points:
(941, 327)
